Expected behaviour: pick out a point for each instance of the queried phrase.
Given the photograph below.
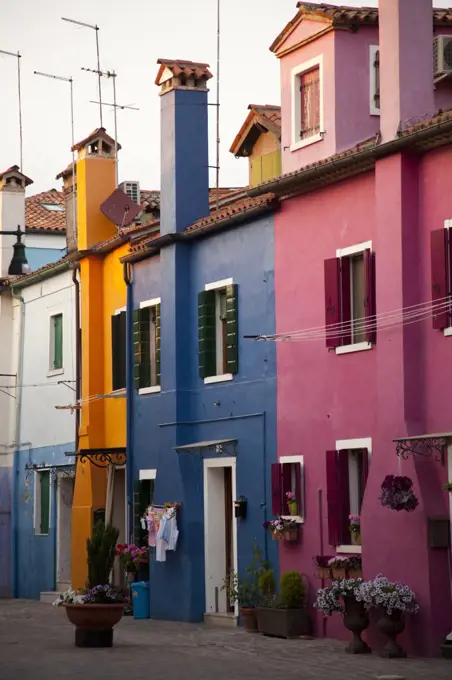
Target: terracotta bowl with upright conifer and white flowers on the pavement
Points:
(95, 611)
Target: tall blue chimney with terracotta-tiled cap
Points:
(184, 143)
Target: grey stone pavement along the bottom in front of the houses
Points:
(37, 643)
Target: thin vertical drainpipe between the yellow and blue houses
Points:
(129, 395)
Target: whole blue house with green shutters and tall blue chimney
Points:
(202, 397)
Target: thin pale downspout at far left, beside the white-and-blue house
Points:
(14, 490)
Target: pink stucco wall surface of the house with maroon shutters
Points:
(398, 388)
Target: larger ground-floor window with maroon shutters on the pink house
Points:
(346, 477)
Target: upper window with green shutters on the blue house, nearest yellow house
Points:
(146, 346)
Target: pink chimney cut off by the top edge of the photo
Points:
(406, 63)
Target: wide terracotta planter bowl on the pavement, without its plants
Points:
(94, 623)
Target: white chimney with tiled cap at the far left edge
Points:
(12, 212)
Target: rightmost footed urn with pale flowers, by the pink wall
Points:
(393, 601)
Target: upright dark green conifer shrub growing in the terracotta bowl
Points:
(101, 550)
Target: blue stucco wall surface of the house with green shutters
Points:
(243, 408)
